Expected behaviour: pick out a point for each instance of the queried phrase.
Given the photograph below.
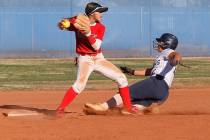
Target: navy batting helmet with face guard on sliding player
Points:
(166, 41)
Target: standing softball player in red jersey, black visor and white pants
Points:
(88, 47)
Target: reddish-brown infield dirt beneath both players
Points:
(185, 116)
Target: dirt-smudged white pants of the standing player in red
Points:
(87, 64)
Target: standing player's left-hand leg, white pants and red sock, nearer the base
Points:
(85, 67)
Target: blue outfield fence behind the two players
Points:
(29, 28)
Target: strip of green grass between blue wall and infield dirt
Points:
(56, 74)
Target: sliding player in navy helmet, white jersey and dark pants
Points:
(148, 94)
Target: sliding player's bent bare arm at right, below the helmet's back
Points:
(174, 58)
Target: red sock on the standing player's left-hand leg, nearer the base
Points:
(68, 98)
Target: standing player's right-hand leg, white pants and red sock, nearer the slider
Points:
(111, 71)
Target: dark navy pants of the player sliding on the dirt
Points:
(149, 91)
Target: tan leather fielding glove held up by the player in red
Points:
(82, 23)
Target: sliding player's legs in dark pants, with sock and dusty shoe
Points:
(142, 98)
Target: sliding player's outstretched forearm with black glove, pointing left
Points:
(130, 71)
